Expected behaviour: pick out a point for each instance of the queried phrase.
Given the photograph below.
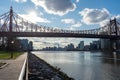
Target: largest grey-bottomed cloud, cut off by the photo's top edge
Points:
(56, 7)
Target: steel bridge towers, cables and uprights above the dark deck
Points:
(12, 22)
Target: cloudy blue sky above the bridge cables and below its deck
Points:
(65, 14)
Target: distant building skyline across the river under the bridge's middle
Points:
(94, 45)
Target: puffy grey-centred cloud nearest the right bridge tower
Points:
(94, 16)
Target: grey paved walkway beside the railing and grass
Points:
(13, 69)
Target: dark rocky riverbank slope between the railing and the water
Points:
(40, 70)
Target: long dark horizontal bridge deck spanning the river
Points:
(47, 34)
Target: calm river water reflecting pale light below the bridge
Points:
(83, 65)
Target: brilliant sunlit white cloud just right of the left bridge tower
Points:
(32, 16)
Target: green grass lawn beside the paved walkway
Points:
(7, 54)
